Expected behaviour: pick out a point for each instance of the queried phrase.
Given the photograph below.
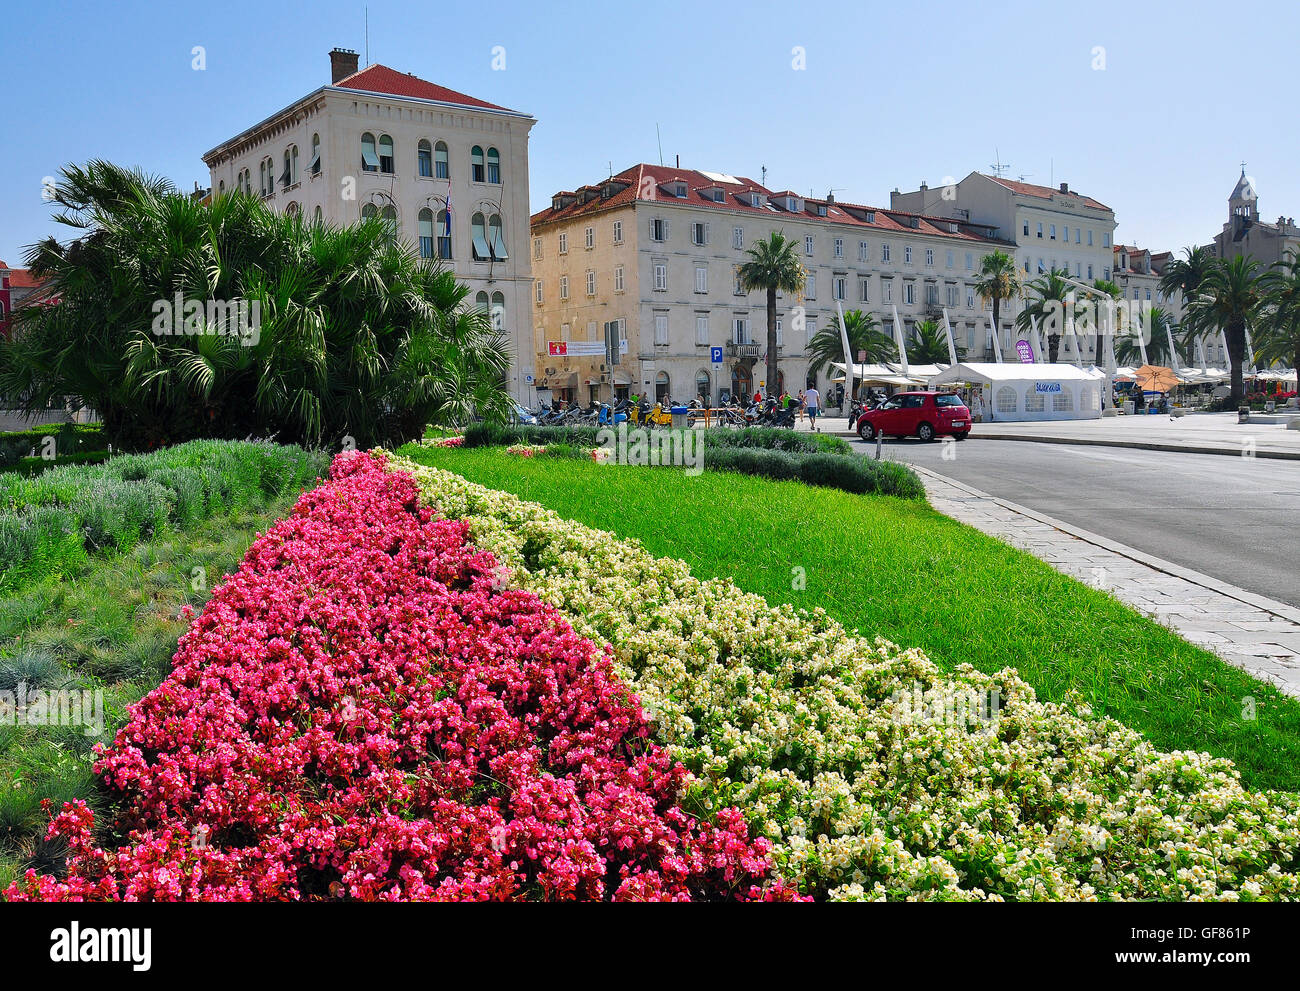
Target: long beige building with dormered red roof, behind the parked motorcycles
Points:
(636, 283)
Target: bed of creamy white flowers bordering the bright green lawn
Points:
(818, 735)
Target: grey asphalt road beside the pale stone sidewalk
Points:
(1237, 520)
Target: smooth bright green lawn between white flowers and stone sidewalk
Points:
(903, 572)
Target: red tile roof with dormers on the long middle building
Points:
(653, 179)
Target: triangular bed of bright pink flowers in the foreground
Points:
(359, 713)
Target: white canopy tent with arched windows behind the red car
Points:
(1033, 392)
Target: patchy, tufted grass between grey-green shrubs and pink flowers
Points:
(114, 628)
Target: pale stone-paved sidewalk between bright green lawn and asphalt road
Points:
(1256, 634)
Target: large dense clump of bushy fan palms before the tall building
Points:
(356, 336)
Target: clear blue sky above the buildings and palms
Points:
(891, 94)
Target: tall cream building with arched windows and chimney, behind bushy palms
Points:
(379, 142)
